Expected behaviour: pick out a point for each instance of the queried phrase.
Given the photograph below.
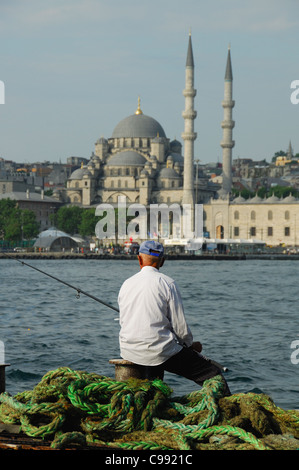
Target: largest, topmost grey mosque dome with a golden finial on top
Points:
(138, 125)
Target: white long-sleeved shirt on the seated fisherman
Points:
(152, 321)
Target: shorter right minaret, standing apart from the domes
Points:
(227, 125)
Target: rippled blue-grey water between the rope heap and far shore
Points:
(245, 313)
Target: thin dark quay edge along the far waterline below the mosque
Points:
(122, 257)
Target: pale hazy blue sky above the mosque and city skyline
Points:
(73, 69)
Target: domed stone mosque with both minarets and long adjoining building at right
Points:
(139, 162)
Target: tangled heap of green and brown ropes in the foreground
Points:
(77, 408)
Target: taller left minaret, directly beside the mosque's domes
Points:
(189, 135)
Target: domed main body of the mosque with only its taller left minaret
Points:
(139, 162)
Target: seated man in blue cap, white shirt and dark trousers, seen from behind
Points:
(153, 329)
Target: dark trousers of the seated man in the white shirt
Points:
(189, 364)
